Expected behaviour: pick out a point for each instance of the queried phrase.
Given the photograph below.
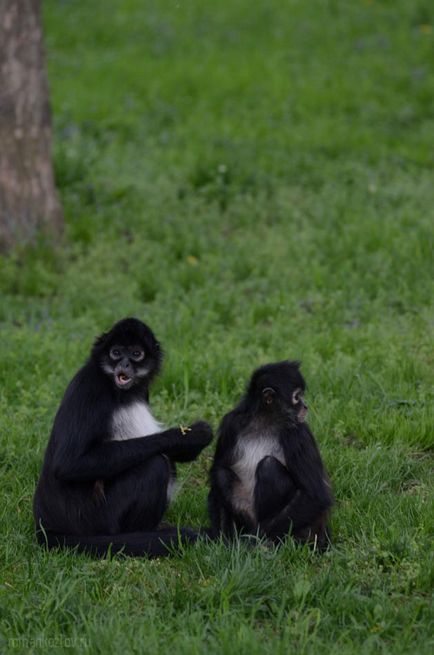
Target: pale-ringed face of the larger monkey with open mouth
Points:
(126, 365)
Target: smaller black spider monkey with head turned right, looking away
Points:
(267, 477)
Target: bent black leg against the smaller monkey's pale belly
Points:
(274, 488)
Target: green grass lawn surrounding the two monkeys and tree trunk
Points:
(255, 181)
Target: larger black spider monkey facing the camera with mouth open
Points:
(109, 465)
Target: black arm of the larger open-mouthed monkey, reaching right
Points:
(107, 459)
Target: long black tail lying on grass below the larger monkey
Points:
(158, 543)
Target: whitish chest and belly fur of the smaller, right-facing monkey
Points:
(250, 450)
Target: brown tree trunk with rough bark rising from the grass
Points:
(28, 198)
